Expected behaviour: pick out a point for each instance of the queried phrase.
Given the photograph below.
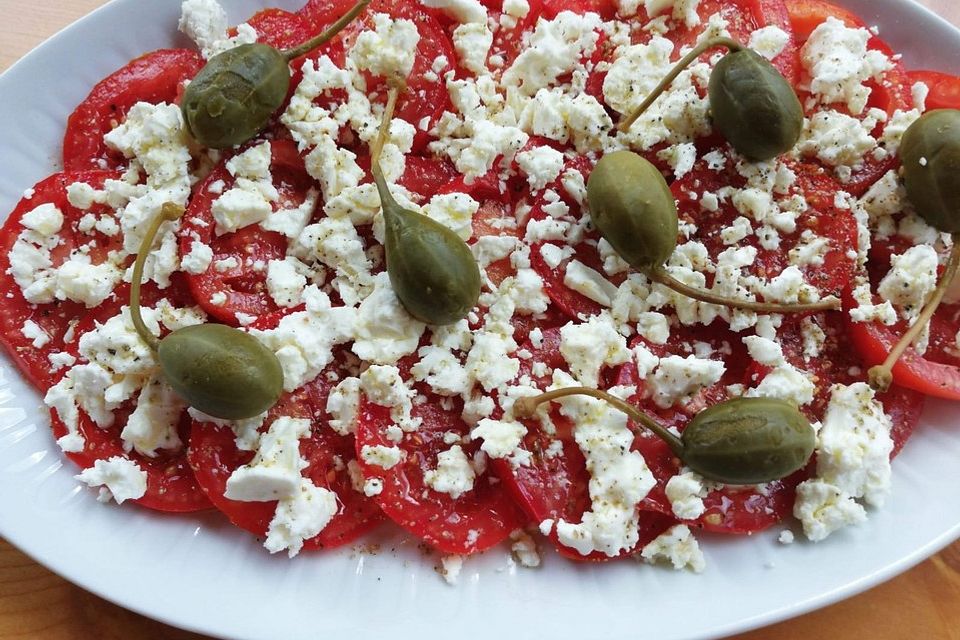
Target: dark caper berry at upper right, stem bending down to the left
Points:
(752, 104)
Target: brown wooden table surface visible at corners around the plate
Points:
(923, 603)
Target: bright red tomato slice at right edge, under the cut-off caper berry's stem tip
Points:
(874, 341)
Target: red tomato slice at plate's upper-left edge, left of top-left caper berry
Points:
(155, 77)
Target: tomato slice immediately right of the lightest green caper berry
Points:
(821, 217)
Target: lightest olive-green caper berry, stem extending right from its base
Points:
(633, 209)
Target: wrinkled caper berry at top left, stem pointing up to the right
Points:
(234, 95)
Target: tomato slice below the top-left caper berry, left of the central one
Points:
(252, 247)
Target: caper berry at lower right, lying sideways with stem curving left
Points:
(740, 441)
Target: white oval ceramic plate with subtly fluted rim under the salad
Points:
(200, 573)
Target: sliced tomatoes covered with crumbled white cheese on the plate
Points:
(496, 116)
